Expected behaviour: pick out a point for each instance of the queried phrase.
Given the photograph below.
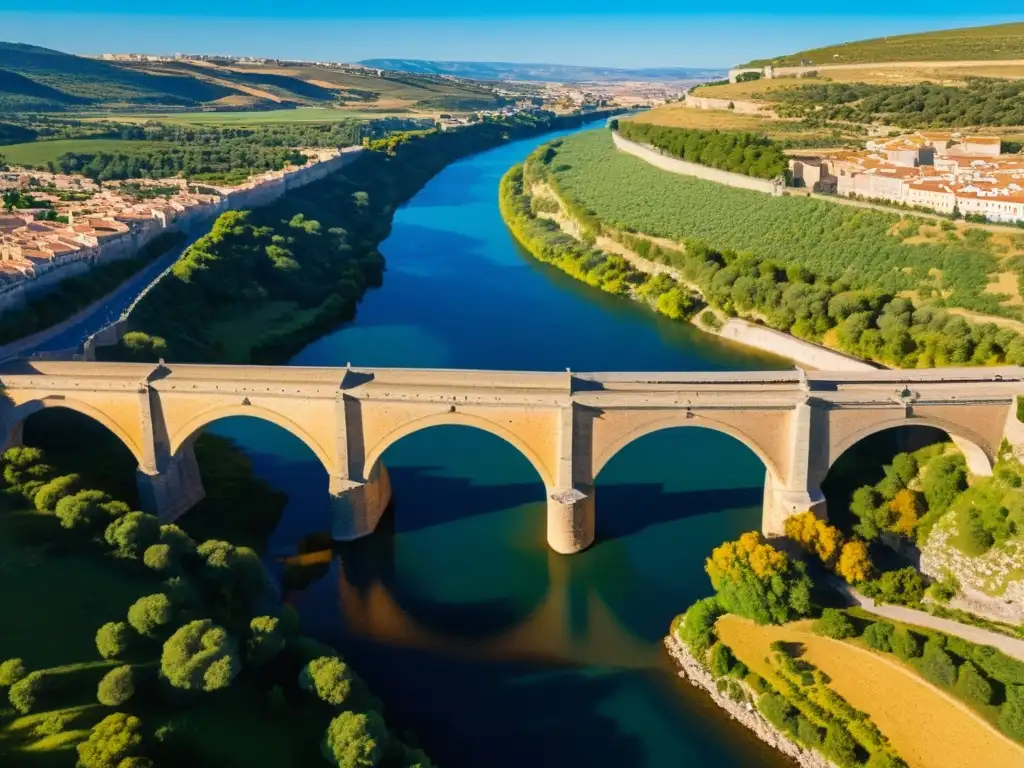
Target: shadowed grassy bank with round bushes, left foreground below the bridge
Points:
(158, 647)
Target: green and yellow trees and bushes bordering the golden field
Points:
(756, 581)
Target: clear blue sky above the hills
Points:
(585, 32)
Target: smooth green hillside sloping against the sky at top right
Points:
(1000, 42)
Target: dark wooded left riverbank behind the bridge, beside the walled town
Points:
(265, 283)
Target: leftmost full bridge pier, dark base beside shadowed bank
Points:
(168, 485)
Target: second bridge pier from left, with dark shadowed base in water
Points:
(358, 503)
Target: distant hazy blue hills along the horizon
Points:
(539, 72)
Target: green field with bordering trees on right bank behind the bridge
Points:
(823, 273)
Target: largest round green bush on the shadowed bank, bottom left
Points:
(200, 657)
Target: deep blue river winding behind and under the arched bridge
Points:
(495, 651)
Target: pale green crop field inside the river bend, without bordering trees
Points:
(864, 247)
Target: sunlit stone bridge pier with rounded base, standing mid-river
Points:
(571, 502)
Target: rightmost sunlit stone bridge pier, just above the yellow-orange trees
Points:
(797, 492)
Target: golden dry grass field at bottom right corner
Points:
(927, 728)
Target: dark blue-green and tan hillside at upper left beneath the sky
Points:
(34, 79)
